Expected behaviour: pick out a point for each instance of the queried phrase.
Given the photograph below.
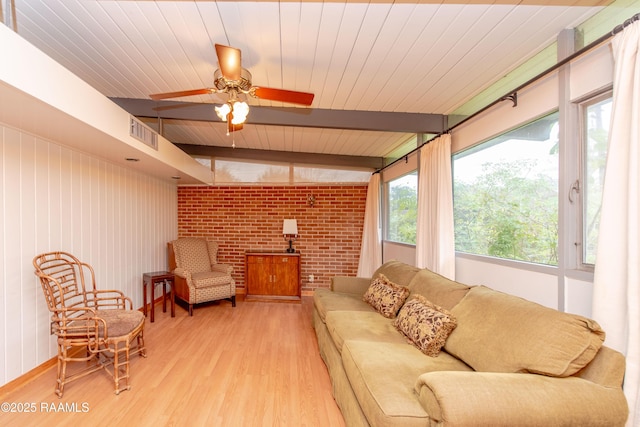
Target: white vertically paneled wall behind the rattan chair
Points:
(53, 198)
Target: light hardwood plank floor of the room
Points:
(253, 365)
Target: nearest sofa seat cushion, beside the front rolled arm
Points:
(383, 378)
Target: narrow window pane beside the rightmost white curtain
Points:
(596, 116)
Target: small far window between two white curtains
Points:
(402, 197)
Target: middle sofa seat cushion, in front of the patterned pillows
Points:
(361, 325)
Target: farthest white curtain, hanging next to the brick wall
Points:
(371, 249)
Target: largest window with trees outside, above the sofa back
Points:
(506, 195)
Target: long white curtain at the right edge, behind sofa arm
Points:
(616, 293)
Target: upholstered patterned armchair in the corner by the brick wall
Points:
(199, 277)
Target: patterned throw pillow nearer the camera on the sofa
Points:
(425, 324)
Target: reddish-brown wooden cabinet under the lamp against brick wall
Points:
(272, 276)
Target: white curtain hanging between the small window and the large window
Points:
(435, 248)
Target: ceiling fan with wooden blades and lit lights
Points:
(232, 79)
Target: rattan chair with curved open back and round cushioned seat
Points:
(93, 326)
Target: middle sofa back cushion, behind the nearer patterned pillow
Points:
(438, 289)
